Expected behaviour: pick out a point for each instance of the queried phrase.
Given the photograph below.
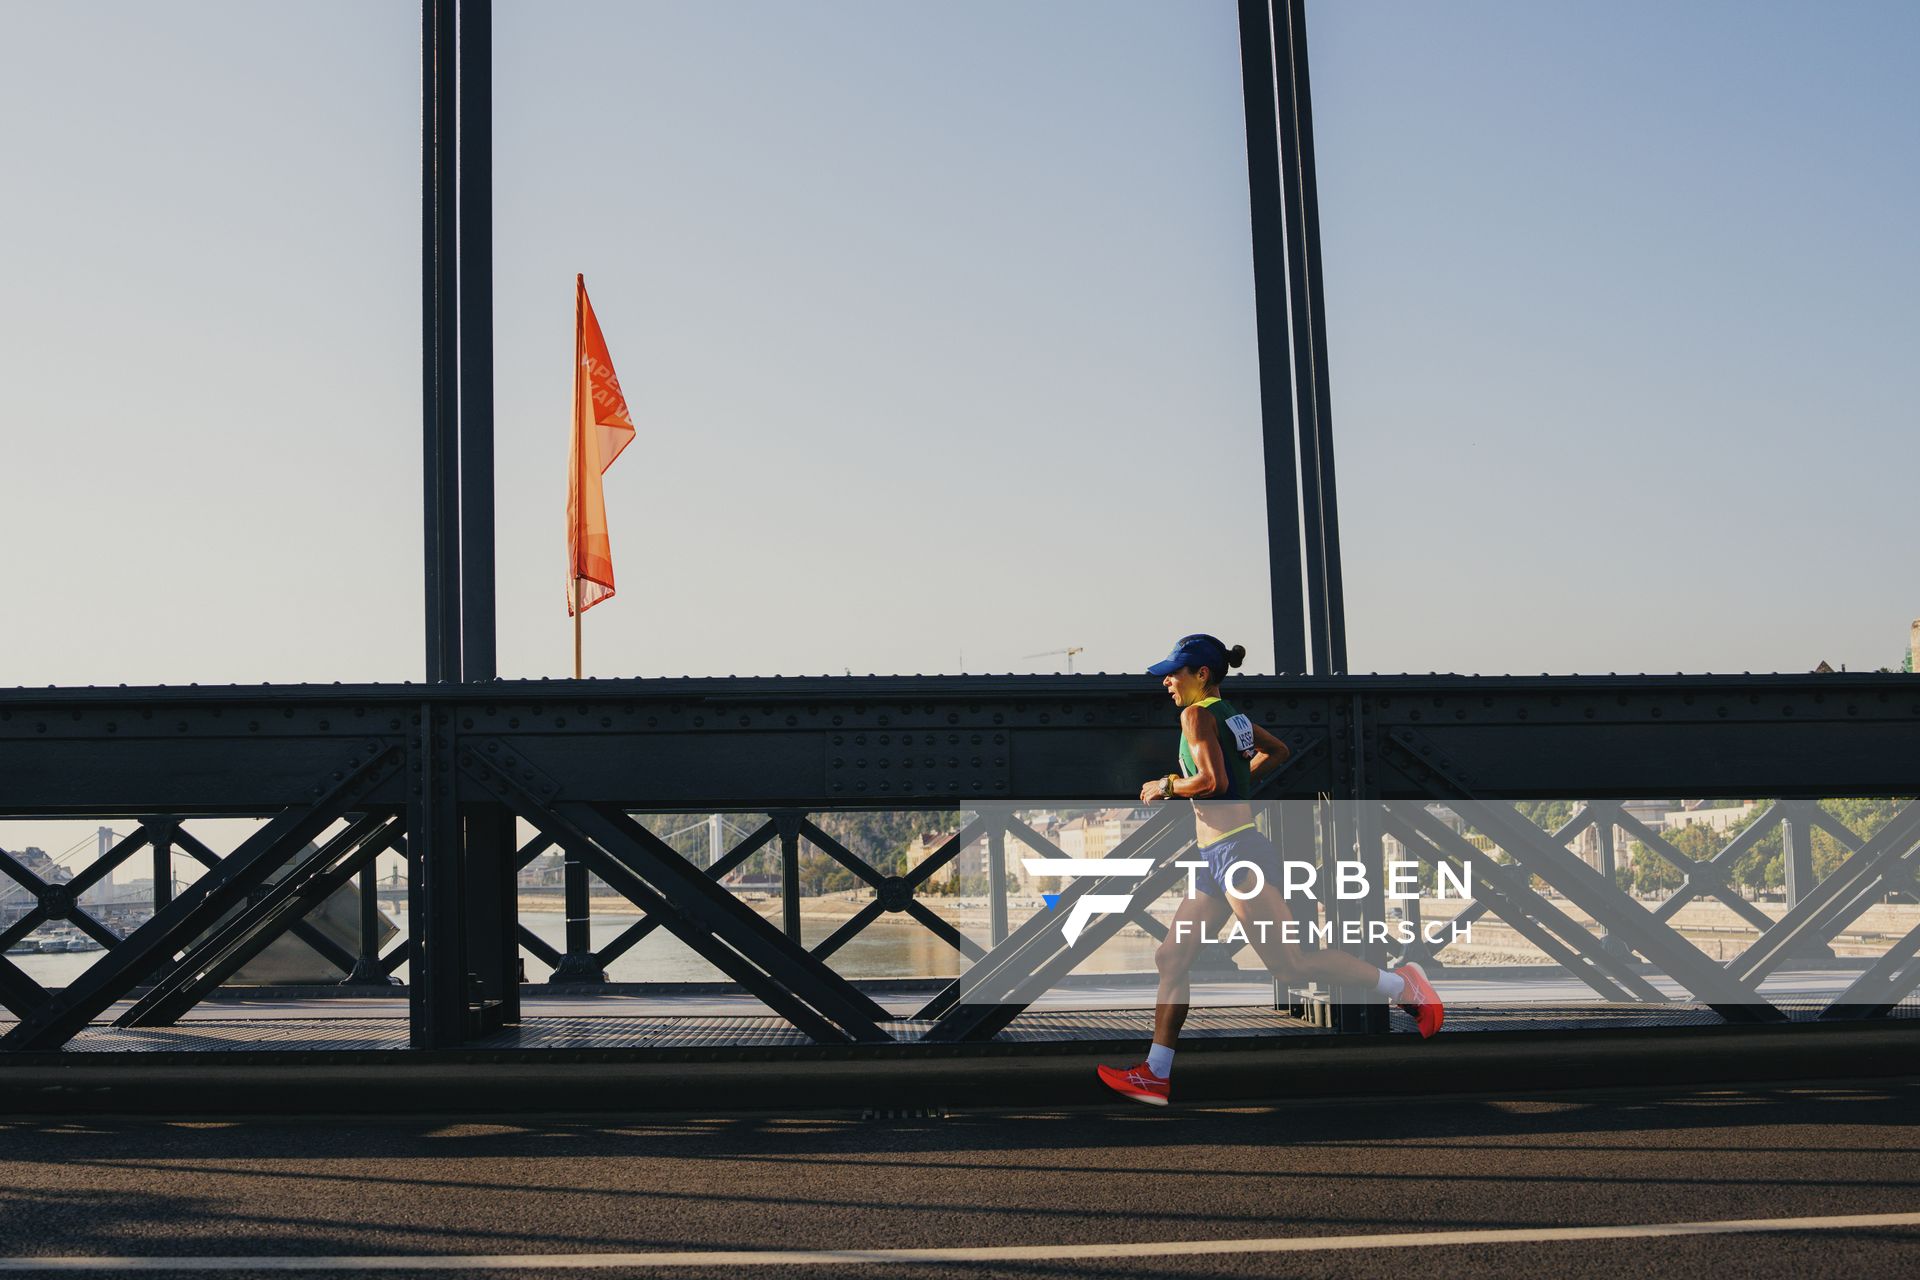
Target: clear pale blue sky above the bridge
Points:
(938, 325)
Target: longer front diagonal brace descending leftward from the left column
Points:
(206, 901)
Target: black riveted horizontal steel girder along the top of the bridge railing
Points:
(905, 744)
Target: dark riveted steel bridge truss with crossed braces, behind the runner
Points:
(345, 774)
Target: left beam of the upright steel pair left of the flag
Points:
(439, 343)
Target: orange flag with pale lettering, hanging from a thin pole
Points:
(602, 431)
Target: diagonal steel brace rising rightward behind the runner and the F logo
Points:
(1036, 957)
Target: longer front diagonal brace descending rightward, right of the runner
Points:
(1723, 991)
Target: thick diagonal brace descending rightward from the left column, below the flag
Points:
(708, 918)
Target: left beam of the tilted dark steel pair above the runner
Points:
(1270, 320)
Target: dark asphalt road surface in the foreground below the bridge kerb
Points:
(1044, 1193)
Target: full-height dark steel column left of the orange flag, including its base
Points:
(464, 899)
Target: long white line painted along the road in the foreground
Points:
(996, 1254)
